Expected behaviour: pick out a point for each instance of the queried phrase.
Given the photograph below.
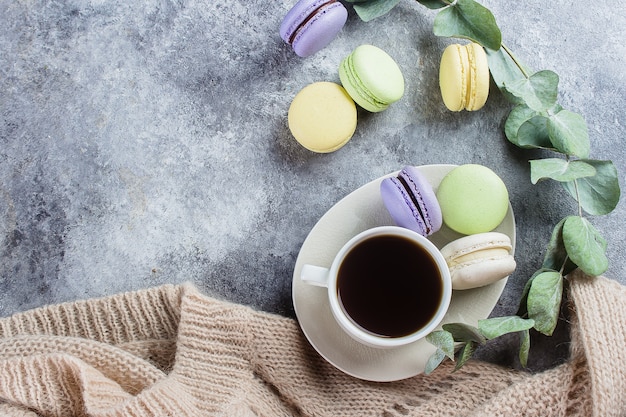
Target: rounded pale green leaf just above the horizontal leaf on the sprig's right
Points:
(568, 133)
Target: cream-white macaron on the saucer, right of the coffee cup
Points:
(479, 260)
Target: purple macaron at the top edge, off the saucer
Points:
(310, 25)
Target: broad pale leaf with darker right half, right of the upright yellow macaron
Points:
(539, 91)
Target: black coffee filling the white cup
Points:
(389, 286)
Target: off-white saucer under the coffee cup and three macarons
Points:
(360, 210)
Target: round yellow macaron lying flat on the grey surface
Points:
(322, 117)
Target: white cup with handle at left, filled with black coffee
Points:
(387, 286)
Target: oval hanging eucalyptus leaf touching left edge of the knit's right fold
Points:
(544, 300)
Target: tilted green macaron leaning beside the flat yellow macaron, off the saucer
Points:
(372, 78)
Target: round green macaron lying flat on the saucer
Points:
(473, 199)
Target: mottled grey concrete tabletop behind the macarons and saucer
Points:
(144, 143)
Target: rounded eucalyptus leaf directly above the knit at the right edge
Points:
(584, 245)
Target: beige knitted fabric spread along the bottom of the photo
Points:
(171, 351)
